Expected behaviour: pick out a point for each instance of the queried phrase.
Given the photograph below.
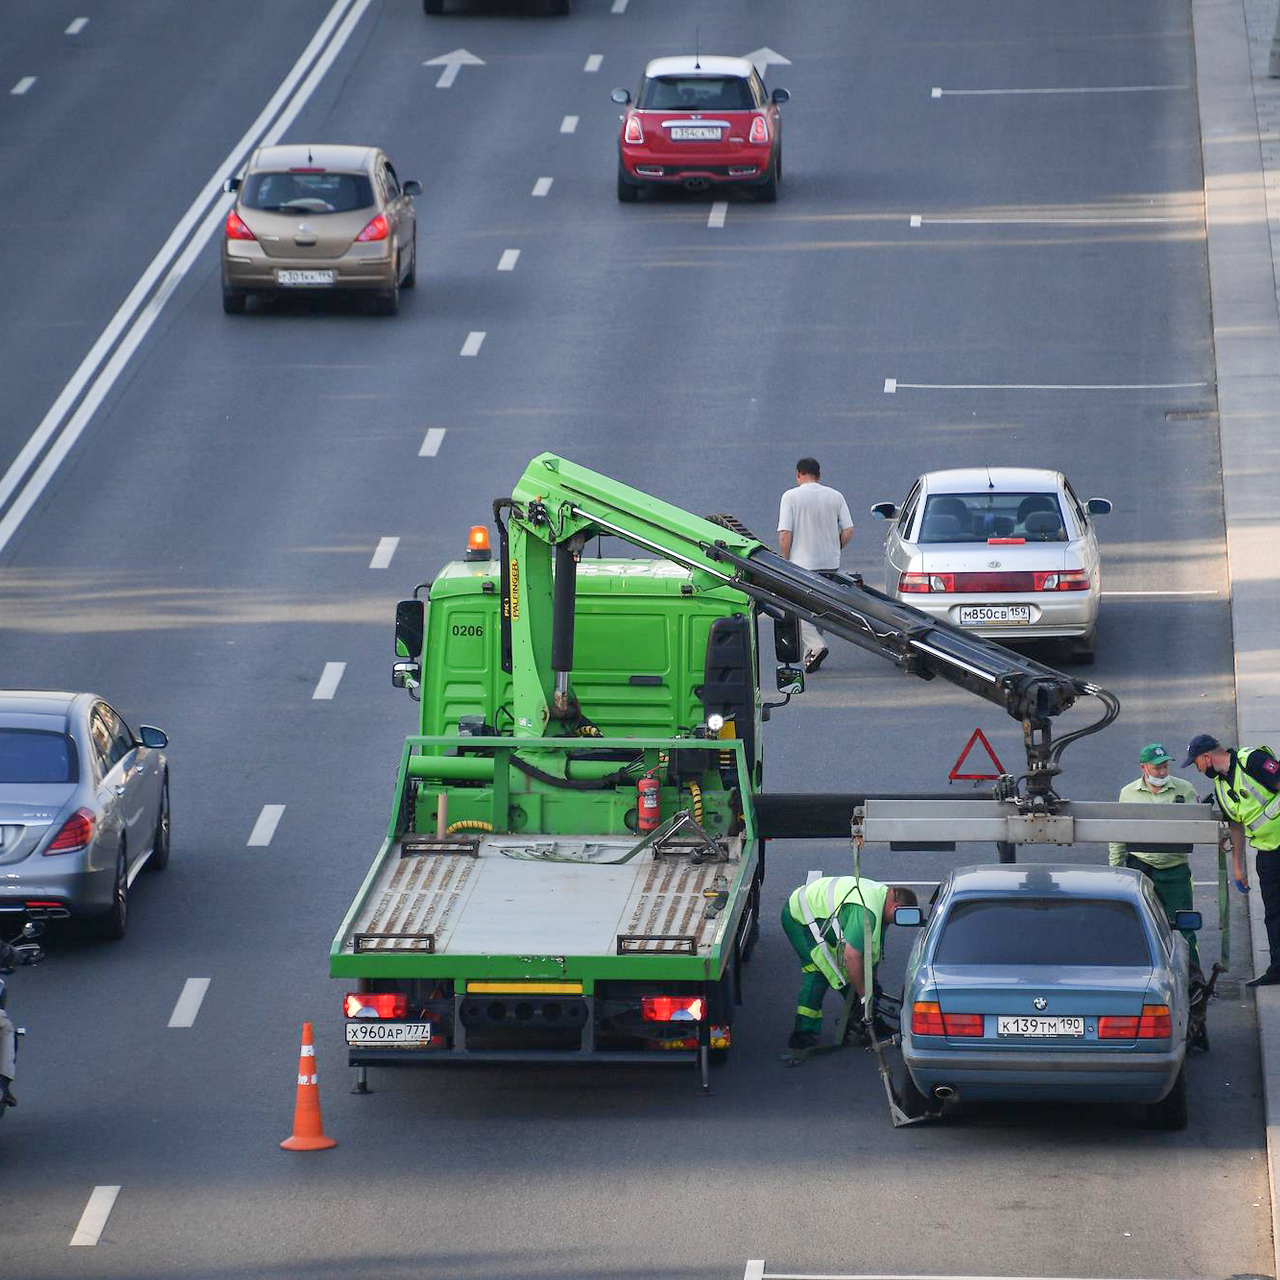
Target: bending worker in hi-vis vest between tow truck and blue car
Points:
(828, 922)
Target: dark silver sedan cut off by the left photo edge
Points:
(84, 808)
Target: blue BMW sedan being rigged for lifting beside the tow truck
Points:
(1049, 984)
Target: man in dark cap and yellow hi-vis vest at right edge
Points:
(1246, 784)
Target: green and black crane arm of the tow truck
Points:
(557, 506)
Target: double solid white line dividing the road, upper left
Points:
(127, 314)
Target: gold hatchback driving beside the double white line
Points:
(316, 218)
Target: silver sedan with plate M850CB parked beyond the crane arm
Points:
(1007, 551)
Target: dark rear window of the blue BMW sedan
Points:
(1043, 931)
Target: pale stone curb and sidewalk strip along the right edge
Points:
(1240, 112)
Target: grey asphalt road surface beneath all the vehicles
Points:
(204, 550)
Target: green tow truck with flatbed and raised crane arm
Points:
(574, 861)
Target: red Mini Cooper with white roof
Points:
(701, 122)
